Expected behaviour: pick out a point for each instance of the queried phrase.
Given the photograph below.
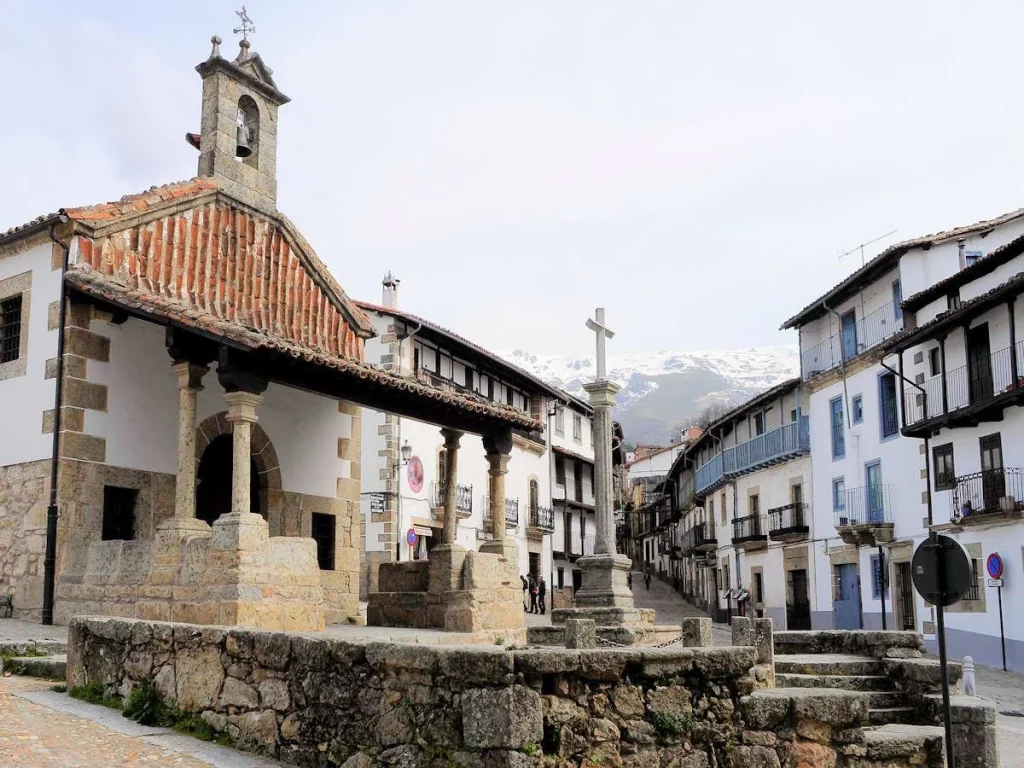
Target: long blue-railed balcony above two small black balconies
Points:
(781, 445)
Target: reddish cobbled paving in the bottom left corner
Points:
(45, 730)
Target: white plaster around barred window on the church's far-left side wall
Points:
(24, 399)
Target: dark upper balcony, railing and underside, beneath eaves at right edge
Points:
(974, 394)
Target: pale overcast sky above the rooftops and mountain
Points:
(694, 167)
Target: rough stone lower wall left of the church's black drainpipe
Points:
(24, 497)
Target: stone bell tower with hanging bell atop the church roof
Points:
(238, 142)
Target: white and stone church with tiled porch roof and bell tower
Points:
(182, 389)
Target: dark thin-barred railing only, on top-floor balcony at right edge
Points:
(968, 386)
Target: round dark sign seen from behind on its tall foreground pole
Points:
(943, 575)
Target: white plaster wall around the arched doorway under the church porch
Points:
(141, 422)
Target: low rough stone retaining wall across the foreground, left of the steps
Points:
(322, 702)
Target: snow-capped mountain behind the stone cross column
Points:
(664, 390)
